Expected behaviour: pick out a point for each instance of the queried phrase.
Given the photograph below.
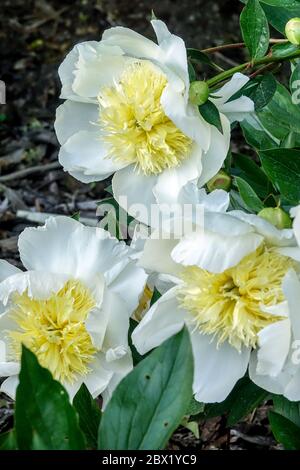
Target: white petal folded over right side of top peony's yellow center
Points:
(186, 117)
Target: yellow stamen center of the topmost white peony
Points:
(134, 125)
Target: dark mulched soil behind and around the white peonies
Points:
(35, 36)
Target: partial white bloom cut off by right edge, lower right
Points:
(275, 365)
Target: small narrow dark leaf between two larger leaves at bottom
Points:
(89, 415)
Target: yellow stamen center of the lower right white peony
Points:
(229, 305)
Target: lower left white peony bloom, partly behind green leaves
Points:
(71, 307)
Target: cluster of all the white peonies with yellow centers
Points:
(232, 279)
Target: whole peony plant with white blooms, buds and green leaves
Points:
(111, 345)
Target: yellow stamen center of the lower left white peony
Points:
(55, 331)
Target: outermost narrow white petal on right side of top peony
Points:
(214, 158)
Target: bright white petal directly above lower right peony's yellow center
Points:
(214, 252)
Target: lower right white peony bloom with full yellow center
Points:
(227, 288)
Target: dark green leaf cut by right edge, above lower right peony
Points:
(283, 168)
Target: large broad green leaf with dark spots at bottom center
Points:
(150, 403)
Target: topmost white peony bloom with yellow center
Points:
(127, 113)
